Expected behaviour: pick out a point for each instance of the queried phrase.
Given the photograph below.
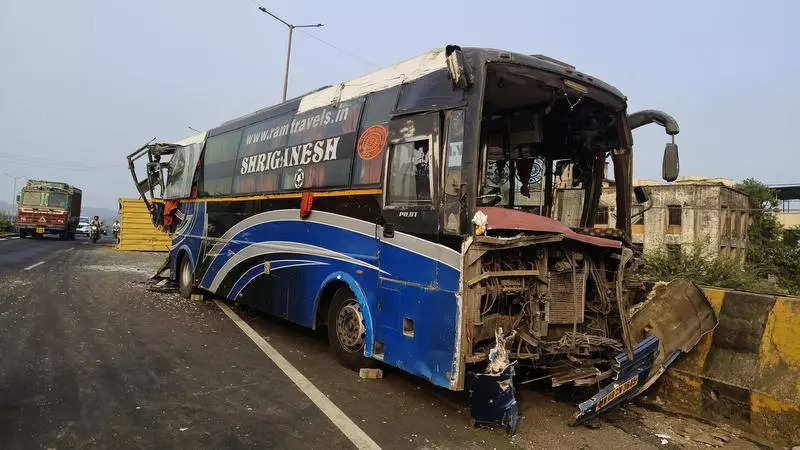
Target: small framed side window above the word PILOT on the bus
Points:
(409, 173)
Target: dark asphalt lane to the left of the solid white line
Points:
(92, 359)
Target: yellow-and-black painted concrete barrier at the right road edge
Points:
(747, 371)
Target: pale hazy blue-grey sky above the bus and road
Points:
(84, 83)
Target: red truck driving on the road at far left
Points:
(48, 207)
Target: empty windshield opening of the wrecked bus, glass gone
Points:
(530, 123)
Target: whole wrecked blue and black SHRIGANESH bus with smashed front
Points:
(410, 211)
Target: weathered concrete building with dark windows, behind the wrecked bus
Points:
(693, 209)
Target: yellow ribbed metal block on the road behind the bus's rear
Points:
(137, 231)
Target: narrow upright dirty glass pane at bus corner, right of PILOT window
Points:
(454, 121)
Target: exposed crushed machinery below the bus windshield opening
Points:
(556, 299)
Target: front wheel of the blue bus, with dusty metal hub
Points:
(346, 334)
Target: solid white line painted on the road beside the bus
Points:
(347, 426)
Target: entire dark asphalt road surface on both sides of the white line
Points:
(90, 358)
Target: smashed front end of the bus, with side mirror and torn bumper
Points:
(543, 290)
